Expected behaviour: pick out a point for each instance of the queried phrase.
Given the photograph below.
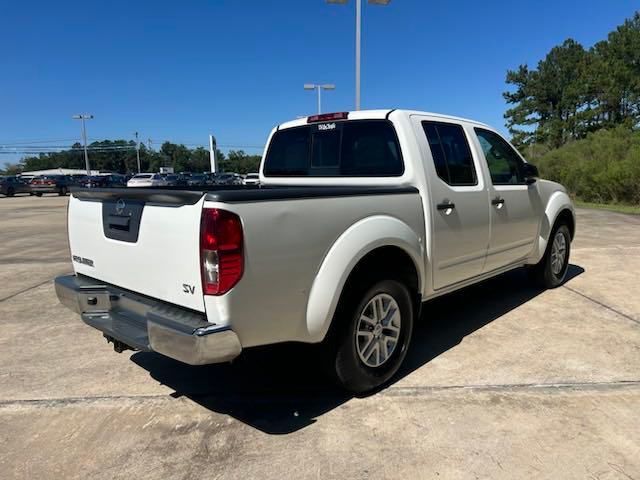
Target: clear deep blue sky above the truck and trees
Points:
(178, 70)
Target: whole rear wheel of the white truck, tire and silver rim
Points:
(373, 335)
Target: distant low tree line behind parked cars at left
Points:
(119, 156)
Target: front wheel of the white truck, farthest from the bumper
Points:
(551, 271)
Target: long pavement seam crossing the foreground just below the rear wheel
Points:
(256, 397)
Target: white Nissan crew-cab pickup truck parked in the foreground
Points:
(359, 218)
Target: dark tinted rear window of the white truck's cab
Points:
(351, 148)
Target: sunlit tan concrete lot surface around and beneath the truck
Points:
(503, 381)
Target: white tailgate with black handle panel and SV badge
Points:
(143, 240)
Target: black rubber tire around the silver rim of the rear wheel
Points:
(347, 365)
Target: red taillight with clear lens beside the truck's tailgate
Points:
(221, 250)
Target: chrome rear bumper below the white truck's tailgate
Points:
(147, 324)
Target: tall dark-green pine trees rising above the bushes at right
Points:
(574, 91)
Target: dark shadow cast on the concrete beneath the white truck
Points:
(282, 389)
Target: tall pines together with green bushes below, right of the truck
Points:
(577, 115)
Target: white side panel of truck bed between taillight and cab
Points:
(286, 243)
